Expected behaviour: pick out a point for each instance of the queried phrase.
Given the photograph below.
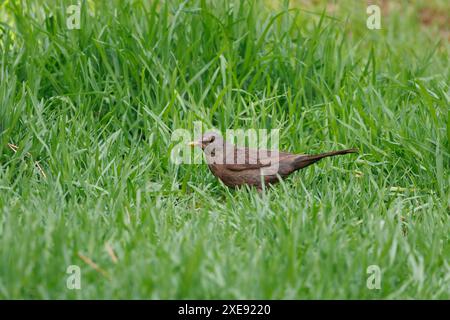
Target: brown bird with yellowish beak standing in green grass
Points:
(244, 166)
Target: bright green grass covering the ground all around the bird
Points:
(97, 106)
